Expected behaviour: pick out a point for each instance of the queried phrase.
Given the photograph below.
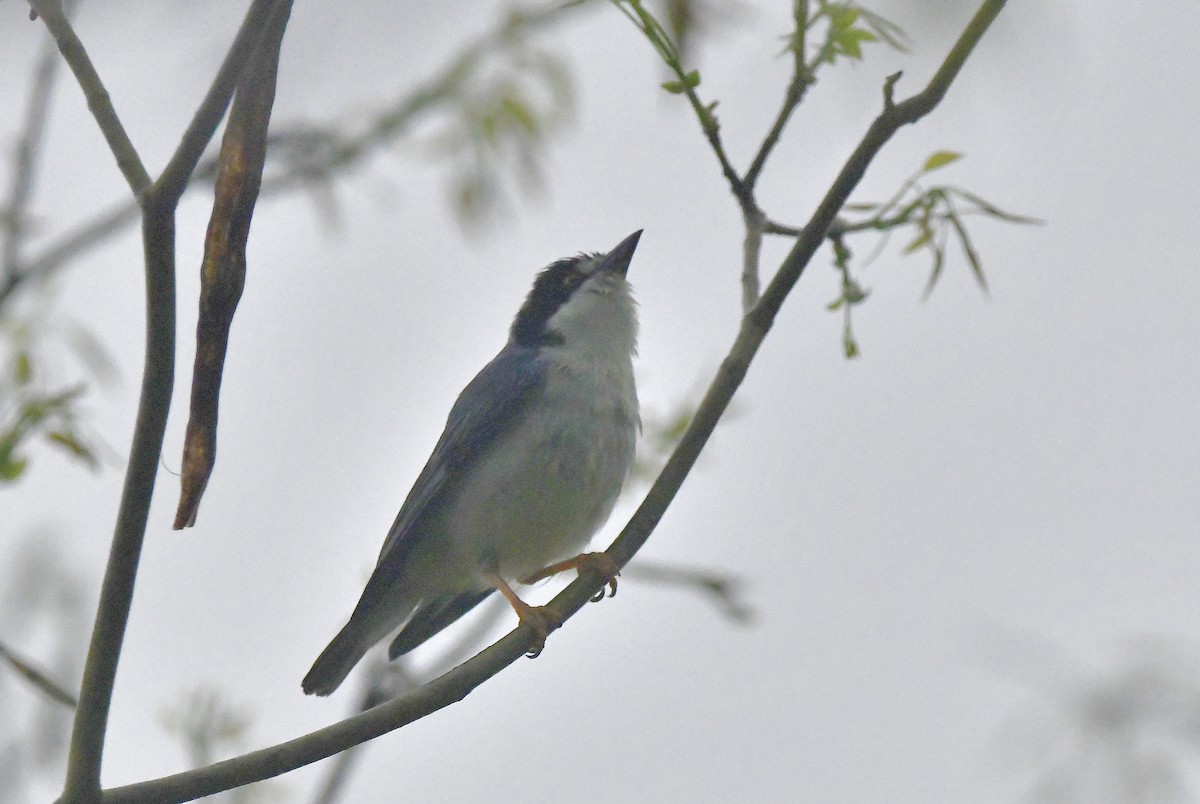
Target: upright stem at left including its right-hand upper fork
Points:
(159, 203)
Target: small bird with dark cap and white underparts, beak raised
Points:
(535, 454)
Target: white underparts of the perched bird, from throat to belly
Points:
(543, 490)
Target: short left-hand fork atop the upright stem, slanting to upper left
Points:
(99, 103)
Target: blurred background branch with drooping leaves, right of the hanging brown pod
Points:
(488, 116)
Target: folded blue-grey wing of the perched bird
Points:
(485, 410)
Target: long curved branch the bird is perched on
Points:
(460, 682)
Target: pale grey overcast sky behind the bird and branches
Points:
(989, 475)
